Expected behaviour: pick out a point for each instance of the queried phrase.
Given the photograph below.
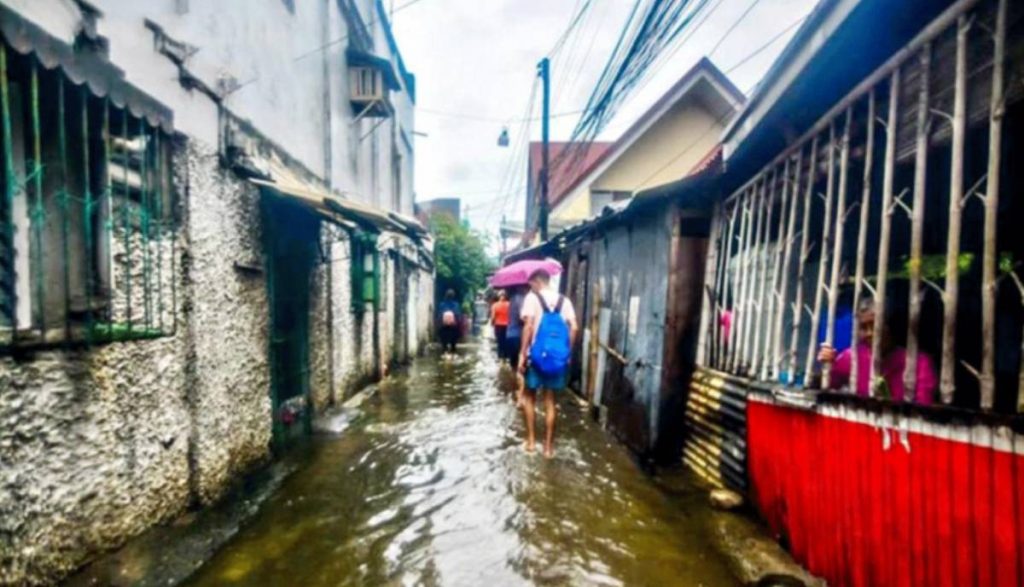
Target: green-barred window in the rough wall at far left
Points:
(89, 230)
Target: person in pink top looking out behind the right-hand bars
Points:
(893, 364)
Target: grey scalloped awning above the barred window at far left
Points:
(82, 67)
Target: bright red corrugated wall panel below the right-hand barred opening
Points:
(862, 504)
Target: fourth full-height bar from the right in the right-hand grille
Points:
(885, 234)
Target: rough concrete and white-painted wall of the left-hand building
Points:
(101, 443)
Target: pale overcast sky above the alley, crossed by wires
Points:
(476, 63)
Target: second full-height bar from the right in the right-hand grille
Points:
(951, 291)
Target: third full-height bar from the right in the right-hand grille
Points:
(918, 224)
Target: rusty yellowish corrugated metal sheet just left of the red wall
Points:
(716, 425)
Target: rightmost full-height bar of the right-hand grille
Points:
(989, 278)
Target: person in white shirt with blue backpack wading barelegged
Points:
(549, 332)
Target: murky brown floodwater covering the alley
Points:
(429, 485)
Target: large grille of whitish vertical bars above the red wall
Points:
(902, 194)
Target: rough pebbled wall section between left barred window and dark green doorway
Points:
(229, 318)
